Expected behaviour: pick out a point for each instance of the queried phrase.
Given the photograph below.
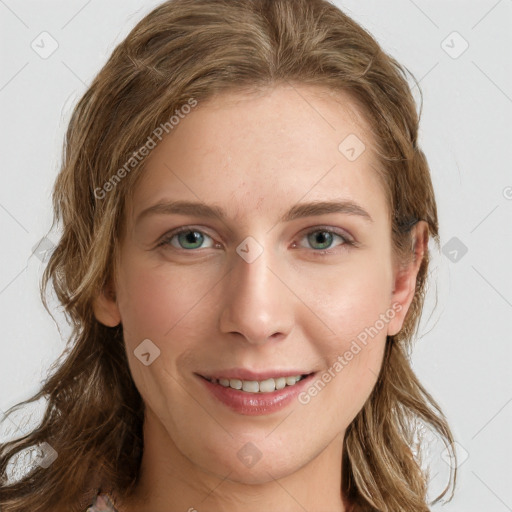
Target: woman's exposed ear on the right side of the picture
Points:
(404, 281)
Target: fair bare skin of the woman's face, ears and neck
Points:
(207, 308)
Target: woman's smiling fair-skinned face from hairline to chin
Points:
(264, 284)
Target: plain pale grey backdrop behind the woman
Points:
(460, 51)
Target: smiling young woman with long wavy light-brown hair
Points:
(246, 214)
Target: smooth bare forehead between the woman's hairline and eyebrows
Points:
(254, 150)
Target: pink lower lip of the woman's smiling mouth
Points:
(255, 404)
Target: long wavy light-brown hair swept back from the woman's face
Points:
(196, 49)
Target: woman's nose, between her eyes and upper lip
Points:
(259, 304)
